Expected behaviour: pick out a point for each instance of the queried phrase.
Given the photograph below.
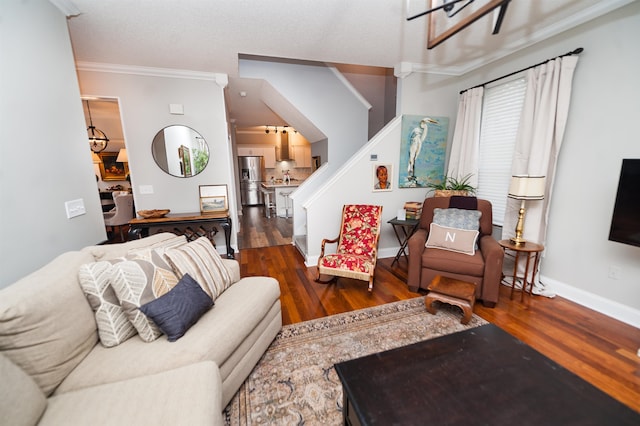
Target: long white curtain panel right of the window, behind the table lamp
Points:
(540, 135)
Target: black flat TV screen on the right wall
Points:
(625, 223)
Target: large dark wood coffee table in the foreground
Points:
(478, 376)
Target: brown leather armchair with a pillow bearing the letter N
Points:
(484, 268)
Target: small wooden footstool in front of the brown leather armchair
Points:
(454, 292)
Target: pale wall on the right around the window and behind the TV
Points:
(601, 131)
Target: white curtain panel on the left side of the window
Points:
(463, 159)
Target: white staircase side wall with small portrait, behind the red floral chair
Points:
(352, 183)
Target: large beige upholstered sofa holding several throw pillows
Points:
(54, 370)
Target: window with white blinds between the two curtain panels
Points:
(501, 108)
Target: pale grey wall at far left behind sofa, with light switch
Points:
(43, 143)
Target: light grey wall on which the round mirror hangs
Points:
(144, 103)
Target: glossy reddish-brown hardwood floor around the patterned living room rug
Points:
(597, 348)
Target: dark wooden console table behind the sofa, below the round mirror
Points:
(191, 225)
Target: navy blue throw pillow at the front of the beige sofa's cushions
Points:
(176, 311)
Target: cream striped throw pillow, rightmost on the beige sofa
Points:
(201, 260)
